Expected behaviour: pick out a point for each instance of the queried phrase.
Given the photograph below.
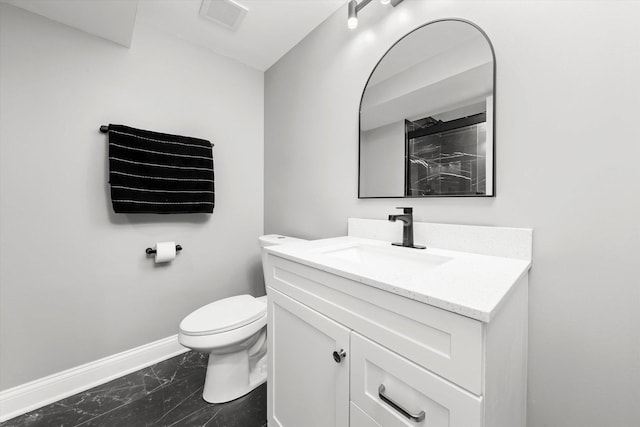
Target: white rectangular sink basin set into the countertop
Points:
(405, 260)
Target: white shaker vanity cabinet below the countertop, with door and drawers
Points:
(404, 363)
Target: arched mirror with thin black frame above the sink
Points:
(427, 116)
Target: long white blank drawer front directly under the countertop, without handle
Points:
(443, 342)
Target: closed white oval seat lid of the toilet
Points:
(224, 315)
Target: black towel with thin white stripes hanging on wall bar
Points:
(153, 172)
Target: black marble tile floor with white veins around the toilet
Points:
(168, 394)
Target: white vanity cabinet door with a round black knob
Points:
(307, 386)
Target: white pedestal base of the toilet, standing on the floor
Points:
(230, 376)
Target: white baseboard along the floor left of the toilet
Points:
(35, 394)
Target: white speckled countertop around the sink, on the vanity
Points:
(469, 284)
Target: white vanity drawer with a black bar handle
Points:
(408, 387)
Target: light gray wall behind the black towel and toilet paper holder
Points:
(75, 284)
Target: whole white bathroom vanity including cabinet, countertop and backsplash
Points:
(362, 333)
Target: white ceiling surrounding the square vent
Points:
(270, 29)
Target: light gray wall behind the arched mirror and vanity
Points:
(568, 98)
